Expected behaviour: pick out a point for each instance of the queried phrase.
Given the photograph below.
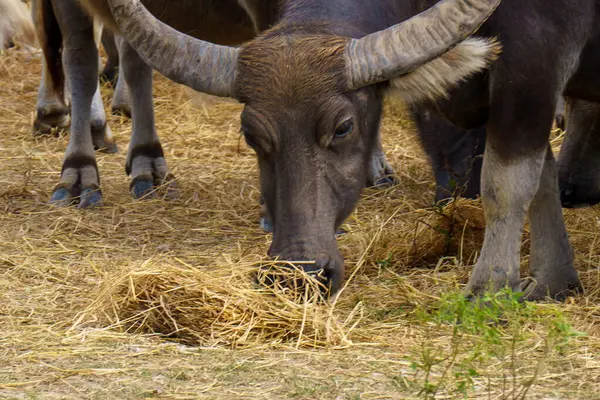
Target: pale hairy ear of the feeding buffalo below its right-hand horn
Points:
(434, 79)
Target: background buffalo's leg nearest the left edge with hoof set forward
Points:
(79, 177)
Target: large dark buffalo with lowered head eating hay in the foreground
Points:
(312, 92)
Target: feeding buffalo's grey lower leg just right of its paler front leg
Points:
(551, 259)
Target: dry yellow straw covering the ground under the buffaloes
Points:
(158, 298)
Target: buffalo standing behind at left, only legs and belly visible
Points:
(66, 30)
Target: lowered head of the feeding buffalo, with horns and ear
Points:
(313, 104)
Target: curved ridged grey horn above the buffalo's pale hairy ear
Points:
(402, 48)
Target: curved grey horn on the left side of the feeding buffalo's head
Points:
(200, 65)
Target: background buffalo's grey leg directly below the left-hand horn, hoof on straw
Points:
(146, 164)
